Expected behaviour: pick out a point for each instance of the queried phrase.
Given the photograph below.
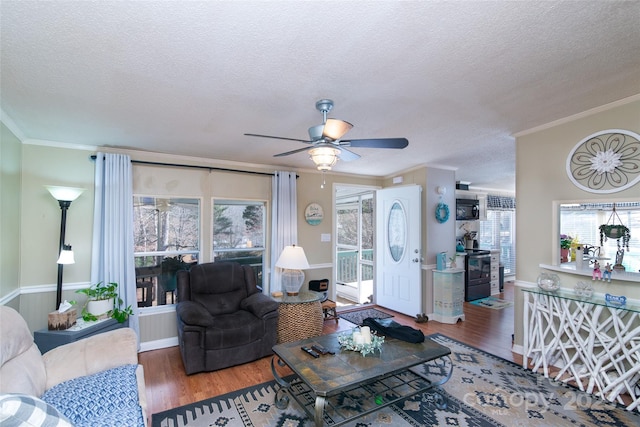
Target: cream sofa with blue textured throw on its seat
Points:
(105, 364)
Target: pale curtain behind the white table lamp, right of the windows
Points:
(284, 222)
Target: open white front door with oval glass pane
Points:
(398, 249)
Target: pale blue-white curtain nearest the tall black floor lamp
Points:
(112, 250)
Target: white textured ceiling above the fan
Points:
(457, 79)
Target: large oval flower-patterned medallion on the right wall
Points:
(605, 162)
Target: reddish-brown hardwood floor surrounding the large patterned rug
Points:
(168, 386)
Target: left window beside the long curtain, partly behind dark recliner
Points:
(166, 240)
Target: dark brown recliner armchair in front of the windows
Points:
(223, 318)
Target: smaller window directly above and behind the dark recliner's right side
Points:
(239, 233)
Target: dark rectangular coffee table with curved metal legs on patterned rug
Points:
(346, 385)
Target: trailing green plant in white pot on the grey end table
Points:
(103, 300)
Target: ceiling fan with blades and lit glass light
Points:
(326, 145)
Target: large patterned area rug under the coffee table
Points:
(484, 390)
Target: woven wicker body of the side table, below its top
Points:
(300, 321)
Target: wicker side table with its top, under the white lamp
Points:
(299, 316)
